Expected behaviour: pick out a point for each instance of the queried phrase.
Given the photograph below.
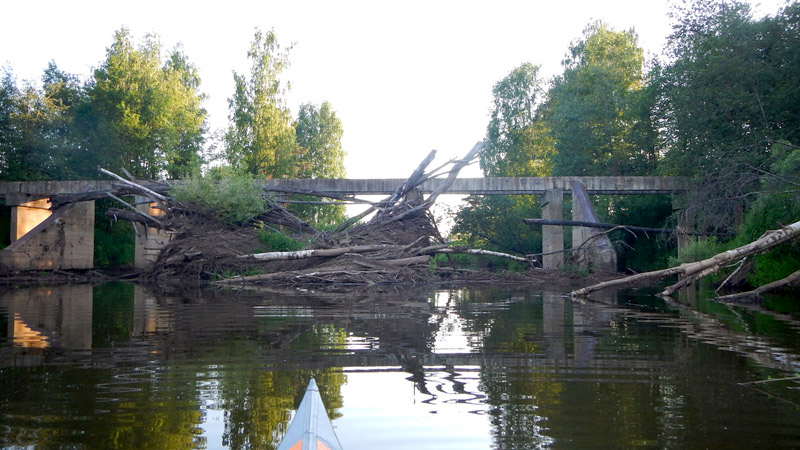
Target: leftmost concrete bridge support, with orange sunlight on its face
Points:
(42, 239)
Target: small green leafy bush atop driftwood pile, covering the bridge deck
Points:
(234, 199)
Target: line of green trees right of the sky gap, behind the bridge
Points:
(718, 105)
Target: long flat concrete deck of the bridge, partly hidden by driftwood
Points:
(464, 186)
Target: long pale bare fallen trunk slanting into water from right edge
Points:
(691, 272)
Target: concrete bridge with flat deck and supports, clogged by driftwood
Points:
(43, 240)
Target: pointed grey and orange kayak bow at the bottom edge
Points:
(310, 429)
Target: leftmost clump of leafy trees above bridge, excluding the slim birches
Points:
(139, 111)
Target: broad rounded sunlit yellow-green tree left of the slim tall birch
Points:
(143, 113)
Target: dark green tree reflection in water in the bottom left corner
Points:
(154, 410)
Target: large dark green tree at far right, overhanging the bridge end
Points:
(728, 96)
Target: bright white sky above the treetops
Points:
(404, 77)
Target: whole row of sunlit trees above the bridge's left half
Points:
(142, 109)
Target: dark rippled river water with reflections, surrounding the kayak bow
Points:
(118, 367)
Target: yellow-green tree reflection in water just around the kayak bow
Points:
(258, 402)
